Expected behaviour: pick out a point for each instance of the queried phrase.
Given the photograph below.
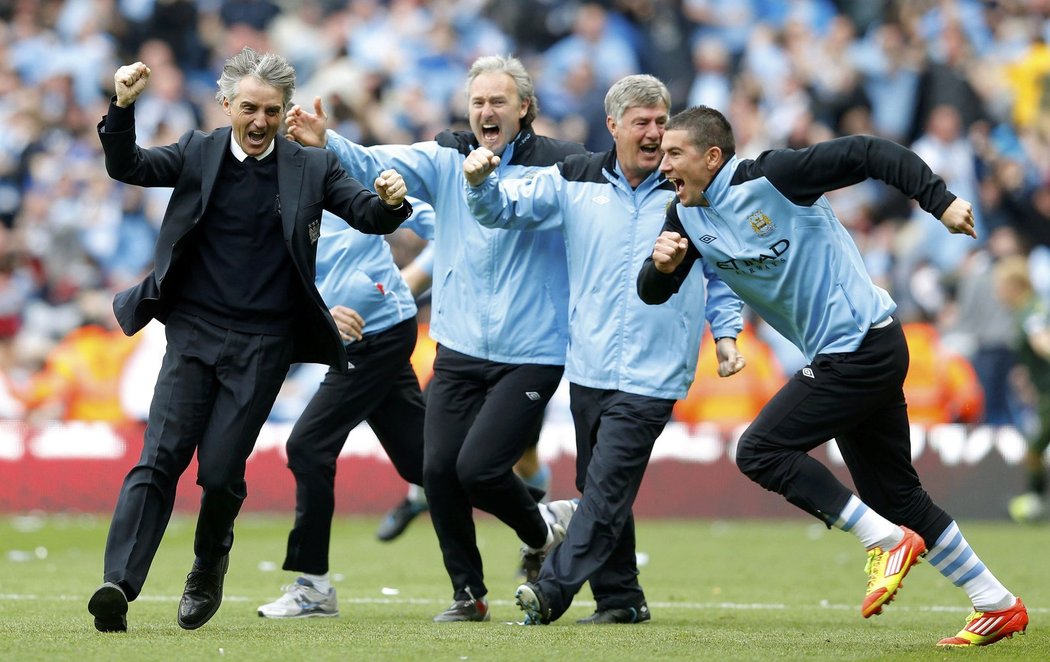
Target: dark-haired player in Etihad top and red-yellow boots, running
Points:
(767, 227)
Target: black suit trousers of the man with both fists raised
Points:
(215, 392)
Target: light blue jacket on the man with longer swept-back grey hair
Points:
(499, 297)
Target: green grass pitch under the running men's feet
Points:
(738, 590)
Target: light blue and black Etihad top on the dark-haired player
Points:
(768, 230)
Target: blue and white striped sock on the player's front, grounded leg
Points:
(956, 560)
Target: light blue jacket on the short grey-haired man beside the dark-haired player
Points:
(616, 341)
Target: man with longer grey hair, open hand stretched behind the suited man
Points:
(499, 315)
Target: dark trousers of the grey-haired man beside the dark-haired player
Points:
(616, 435)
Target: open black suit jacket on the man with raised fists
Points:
(309, 180)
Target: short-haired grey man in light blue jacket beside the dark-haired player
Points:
(627, 363)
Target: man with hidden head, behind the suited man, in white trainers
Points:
(375, 314)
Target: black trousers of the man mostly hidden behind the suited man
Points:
(383, 389)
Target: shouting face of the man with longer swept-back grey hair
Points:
(496, 111)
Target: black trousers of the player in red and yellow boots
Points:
(858, 400)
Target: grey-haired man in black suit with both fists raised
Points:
(234, 282)
